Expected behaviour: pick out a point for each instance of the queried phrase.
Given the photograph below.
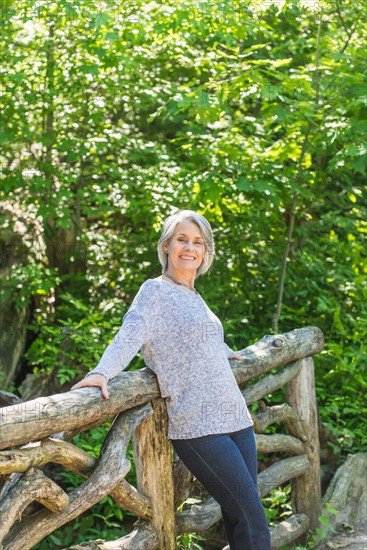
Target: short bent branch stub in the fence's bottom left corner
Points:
(33, 485)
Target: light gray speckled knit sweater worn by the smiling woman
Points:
(181, 341)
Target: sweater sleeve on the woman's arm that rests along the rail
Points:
(132, 334)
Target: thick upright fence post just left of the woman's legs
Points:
(154, 471)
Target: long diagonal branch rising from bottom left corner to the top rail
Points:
(111, 467)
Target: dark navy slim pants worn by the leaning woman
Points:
(226, 465)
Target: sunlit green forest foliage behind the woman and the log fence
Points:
(116, 114)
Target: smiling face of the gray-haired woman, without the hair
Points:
(187, 247)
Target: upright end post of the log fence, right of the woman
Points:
(306, 489)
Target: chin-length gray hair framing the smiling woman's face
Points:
(168, 230)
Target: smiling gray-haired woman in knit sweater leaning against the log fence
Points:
(181, 340)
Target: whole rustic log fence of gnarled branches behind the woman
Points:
(162, 483)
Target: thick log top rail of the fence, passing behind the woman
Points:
(44, 416)
